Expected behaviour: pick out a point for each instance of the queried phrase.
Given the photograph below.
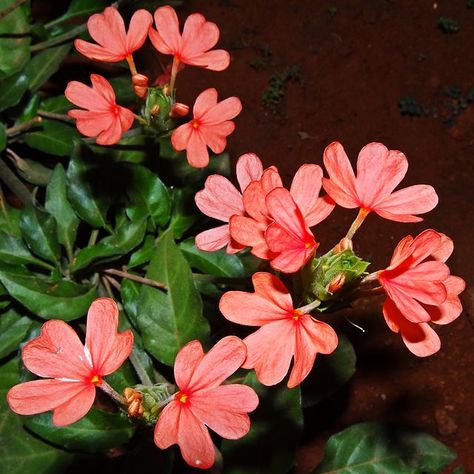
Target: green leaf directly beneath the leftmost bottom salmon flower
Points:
(98, 431)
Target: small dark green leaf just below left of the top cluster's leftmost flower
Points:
(53, 137)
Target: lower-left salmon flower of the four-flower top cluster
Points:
(103, 118)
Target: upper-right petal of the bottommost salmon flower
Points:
(220, 362)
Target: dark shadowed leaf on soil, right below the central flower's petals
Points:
(329, 373)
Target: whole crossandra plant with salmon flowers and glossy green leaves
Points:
(115, 231)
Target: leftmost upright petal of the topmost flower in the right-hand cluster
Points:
(341, 185)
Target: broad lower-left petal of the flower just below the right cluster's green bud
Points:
(270, 349)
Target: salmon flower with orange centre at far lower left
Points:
(73, 370)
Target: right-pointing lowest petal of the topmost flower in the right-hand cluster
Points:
(416, 199)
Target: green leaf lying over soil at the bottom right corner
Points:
(377, 447)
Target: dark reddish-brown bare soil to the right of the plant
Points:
(357, 59)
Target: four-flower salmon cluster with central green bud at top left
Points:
(99, 114)
